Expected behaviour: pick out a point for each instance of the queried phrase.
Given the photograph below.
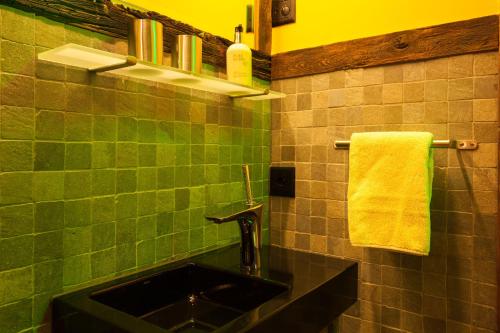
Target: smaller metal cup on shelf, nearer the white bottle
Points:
(187, 53)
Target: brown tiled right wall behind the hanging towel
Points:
(454, 288)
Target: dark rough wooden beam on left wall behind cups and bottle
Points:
(112, 20)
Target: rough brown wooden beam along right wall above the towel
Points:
(479, 34)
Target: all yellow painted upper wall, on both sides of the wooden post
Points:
(321, 22)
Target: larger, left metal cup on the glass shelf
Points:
(145, 40)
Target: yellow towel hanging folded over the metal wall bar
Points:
(390, 188)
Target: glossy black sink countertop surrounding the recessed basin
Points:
(320, 288)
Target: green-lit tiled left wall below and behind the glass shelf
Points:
(101, 175)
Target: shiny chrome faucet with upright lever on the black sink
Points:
(249, 218)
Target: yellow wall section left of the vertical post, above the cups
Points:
(219, 17)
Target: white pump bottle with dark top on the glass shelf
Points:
(239, 60)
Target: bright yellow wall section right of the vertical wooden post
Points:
(321, 22)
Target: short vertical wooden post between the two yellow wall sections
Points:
(263, 25)
